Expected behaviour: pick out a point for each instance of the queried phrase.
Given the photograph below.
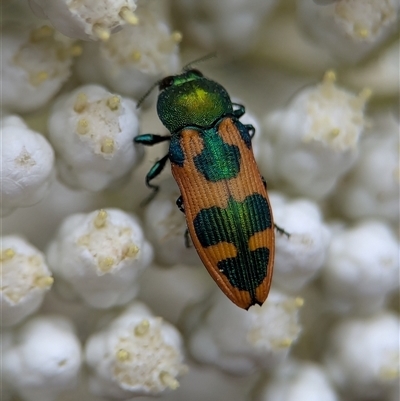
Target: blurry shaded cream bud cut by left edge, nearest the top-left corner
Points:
(35, 62)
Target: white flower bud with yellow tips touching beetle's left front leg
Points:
(92, 130)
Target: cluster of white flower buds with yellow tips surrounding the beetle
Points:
(101, 299)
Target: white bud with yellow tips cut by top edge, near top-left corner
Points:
(86, 20)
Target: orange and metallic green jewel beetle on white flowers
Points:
(223, 194)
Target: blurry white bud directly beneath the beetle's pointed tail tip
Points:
(239, 341)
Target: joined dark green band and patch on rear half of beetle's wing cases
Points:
(236, 224)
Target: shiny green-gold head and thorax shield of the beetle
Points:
(190, 99)
